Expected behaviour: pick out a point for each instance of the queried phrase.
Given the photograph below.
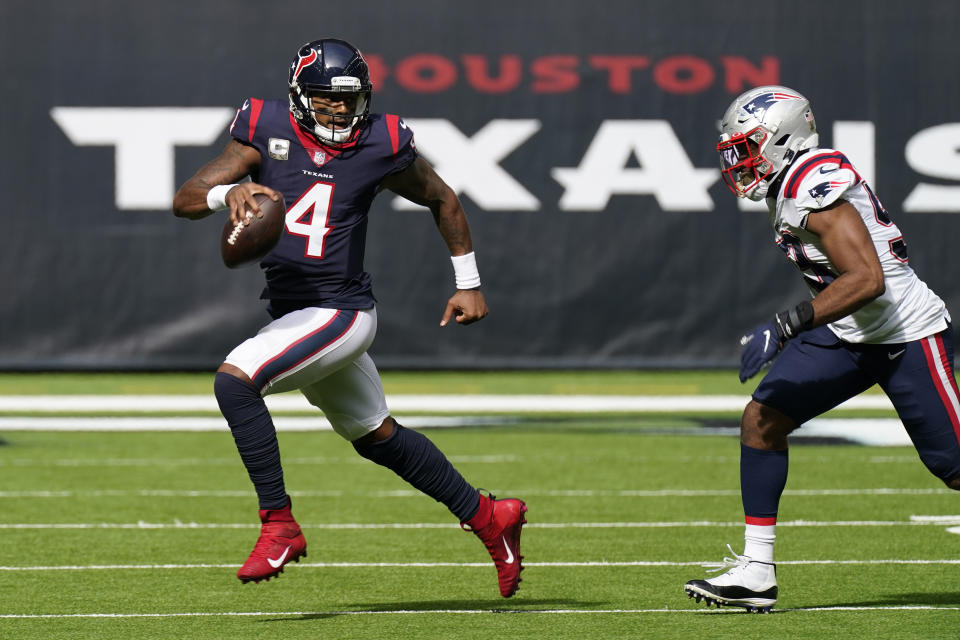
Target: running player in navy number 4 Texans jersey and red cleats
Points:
(328, 157)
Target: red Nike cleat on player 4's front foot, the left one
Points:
(280, 542)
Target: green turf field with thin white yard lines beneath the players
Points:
(138, 535)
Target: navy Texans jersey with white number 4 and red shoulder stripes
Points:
(328, 192)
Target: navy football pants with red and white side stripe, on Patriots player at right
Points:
(817, 371)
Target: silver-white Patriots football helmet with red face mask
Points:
(760, 134)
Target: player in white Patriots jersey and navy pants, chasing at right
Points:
(871, 321)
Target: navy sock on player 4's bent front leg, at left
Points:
(256, 438)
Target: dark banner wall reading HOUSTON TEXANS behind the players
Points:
(580, 137)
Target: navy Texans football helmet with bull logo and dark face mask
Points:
(335, 70)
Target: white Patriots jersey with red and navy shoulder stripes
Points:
(908, 310)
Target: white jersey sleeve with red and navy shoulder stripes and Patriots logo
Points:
(819, 183)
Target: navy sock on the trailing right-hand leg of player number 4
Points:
(413, 457)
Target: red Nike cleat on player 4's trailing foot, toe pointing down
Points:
(498, 524)
